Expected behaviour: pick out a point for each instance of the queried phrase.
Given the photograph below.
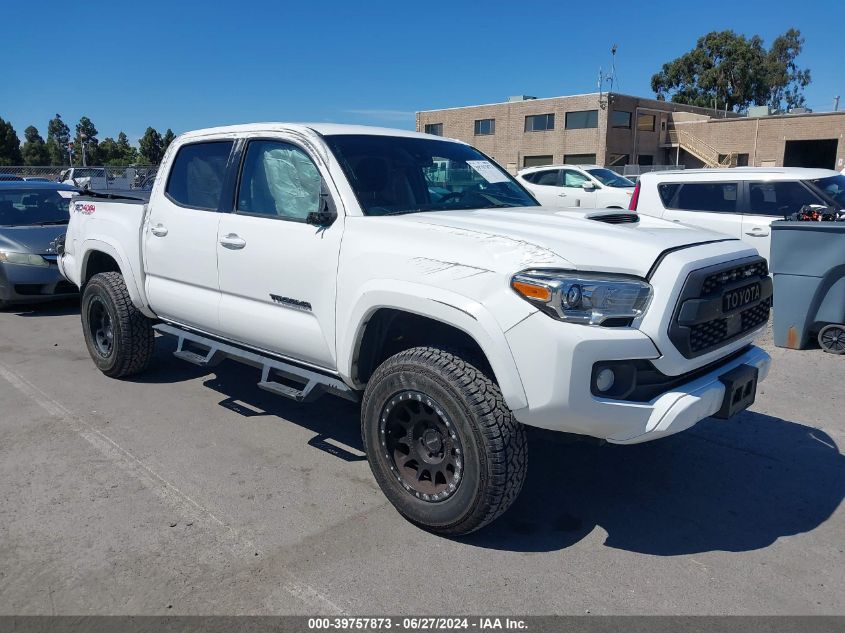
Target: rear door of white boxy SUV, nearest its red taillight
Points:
(709, 205)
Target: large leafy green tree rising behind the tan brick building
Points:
(726, 68)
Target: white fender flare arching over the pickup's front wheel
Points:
(441, 305)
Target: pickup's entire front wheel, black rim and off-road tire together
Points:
(441, 442)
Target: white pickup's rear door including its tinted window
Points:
(180, 236)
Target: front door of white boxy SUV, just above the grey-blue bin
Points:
(769, 201)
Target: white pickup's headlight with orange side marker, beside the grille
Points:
(588, 298)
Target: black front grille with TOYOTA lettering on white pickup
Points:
(701, 324)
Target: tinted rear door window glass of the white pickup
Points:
(197, 175)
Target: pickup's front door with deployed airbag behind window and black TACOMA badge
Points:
(277, 272)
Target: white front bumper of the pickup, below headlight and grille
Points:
(555, 362)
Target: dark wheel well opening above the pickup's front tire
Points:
(390, 331)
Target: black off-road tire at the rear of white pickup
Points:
(133, 339)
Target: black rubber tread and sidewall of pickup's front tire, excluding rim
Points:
(493, 443)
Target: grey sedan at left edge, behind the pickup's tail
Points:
(33, 216)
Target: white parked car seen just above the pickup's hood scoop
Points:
(577, 186)
